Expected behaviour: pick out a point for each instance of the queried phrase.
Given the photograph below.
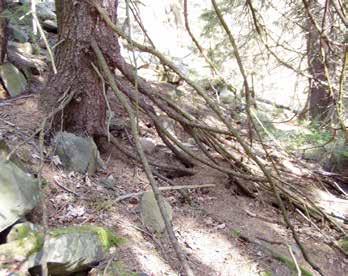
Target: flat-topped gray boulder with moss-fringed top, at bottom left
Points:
(74, 249)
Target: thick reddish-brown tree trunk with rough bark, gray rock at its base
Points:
(78, 24)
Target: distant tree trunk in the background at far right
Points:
(320, 99)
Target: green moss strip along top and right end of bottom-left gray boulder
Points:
(106, 237)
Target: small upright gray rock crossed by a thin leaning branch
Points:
(151, 214)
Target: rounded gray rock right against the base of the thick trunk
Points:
(76, 153)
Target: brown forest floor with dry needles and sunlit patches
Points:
(211, 232)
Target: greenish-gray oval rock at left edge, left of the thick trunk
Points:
(14, 81)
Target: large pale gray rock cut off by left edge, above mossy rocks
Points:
(19, 193)
